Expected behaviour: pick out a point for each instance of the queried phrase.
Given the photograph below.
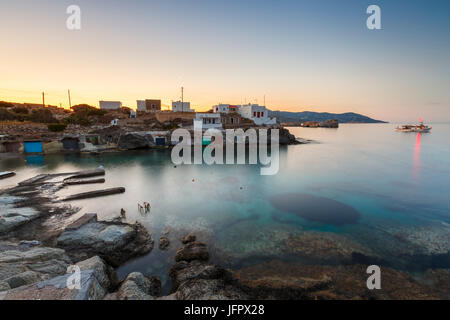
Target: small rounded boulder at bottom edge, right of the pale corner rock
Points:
(136, 286)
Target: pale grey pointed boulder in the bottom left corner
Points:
(95, 279)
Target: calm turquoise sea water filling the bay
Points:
(362, 181)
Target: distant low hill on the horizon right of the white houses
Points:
(348, 117)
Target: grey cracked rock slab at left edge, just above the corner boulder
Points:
(19, 267)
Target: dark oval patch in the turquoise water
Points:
(318, 209)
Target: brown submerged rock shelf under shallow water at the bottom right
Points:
(282, 280)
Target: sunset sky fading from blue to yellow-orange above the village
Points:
(313, 55)
